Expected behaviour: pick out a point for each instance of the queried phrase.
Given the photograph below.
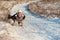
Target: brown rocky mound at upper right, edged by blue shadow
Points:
(46, 8)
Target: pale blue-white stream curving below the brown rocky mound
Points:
(35, 27)
